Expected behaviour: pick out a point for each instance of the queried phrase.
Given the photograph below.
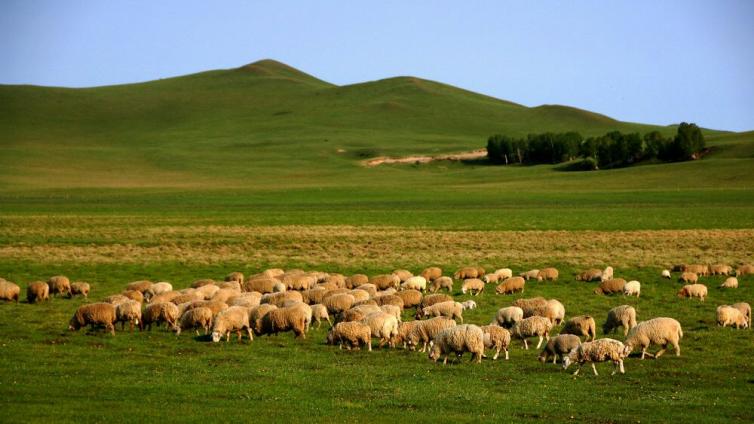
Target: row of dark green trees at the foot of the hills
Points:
(611, 150)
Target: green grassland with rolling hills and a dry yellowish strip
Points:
(244, 169)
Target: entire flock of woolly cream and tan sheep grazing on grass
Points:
(367, 308)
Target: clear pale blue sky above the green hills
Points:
(647, 61)
